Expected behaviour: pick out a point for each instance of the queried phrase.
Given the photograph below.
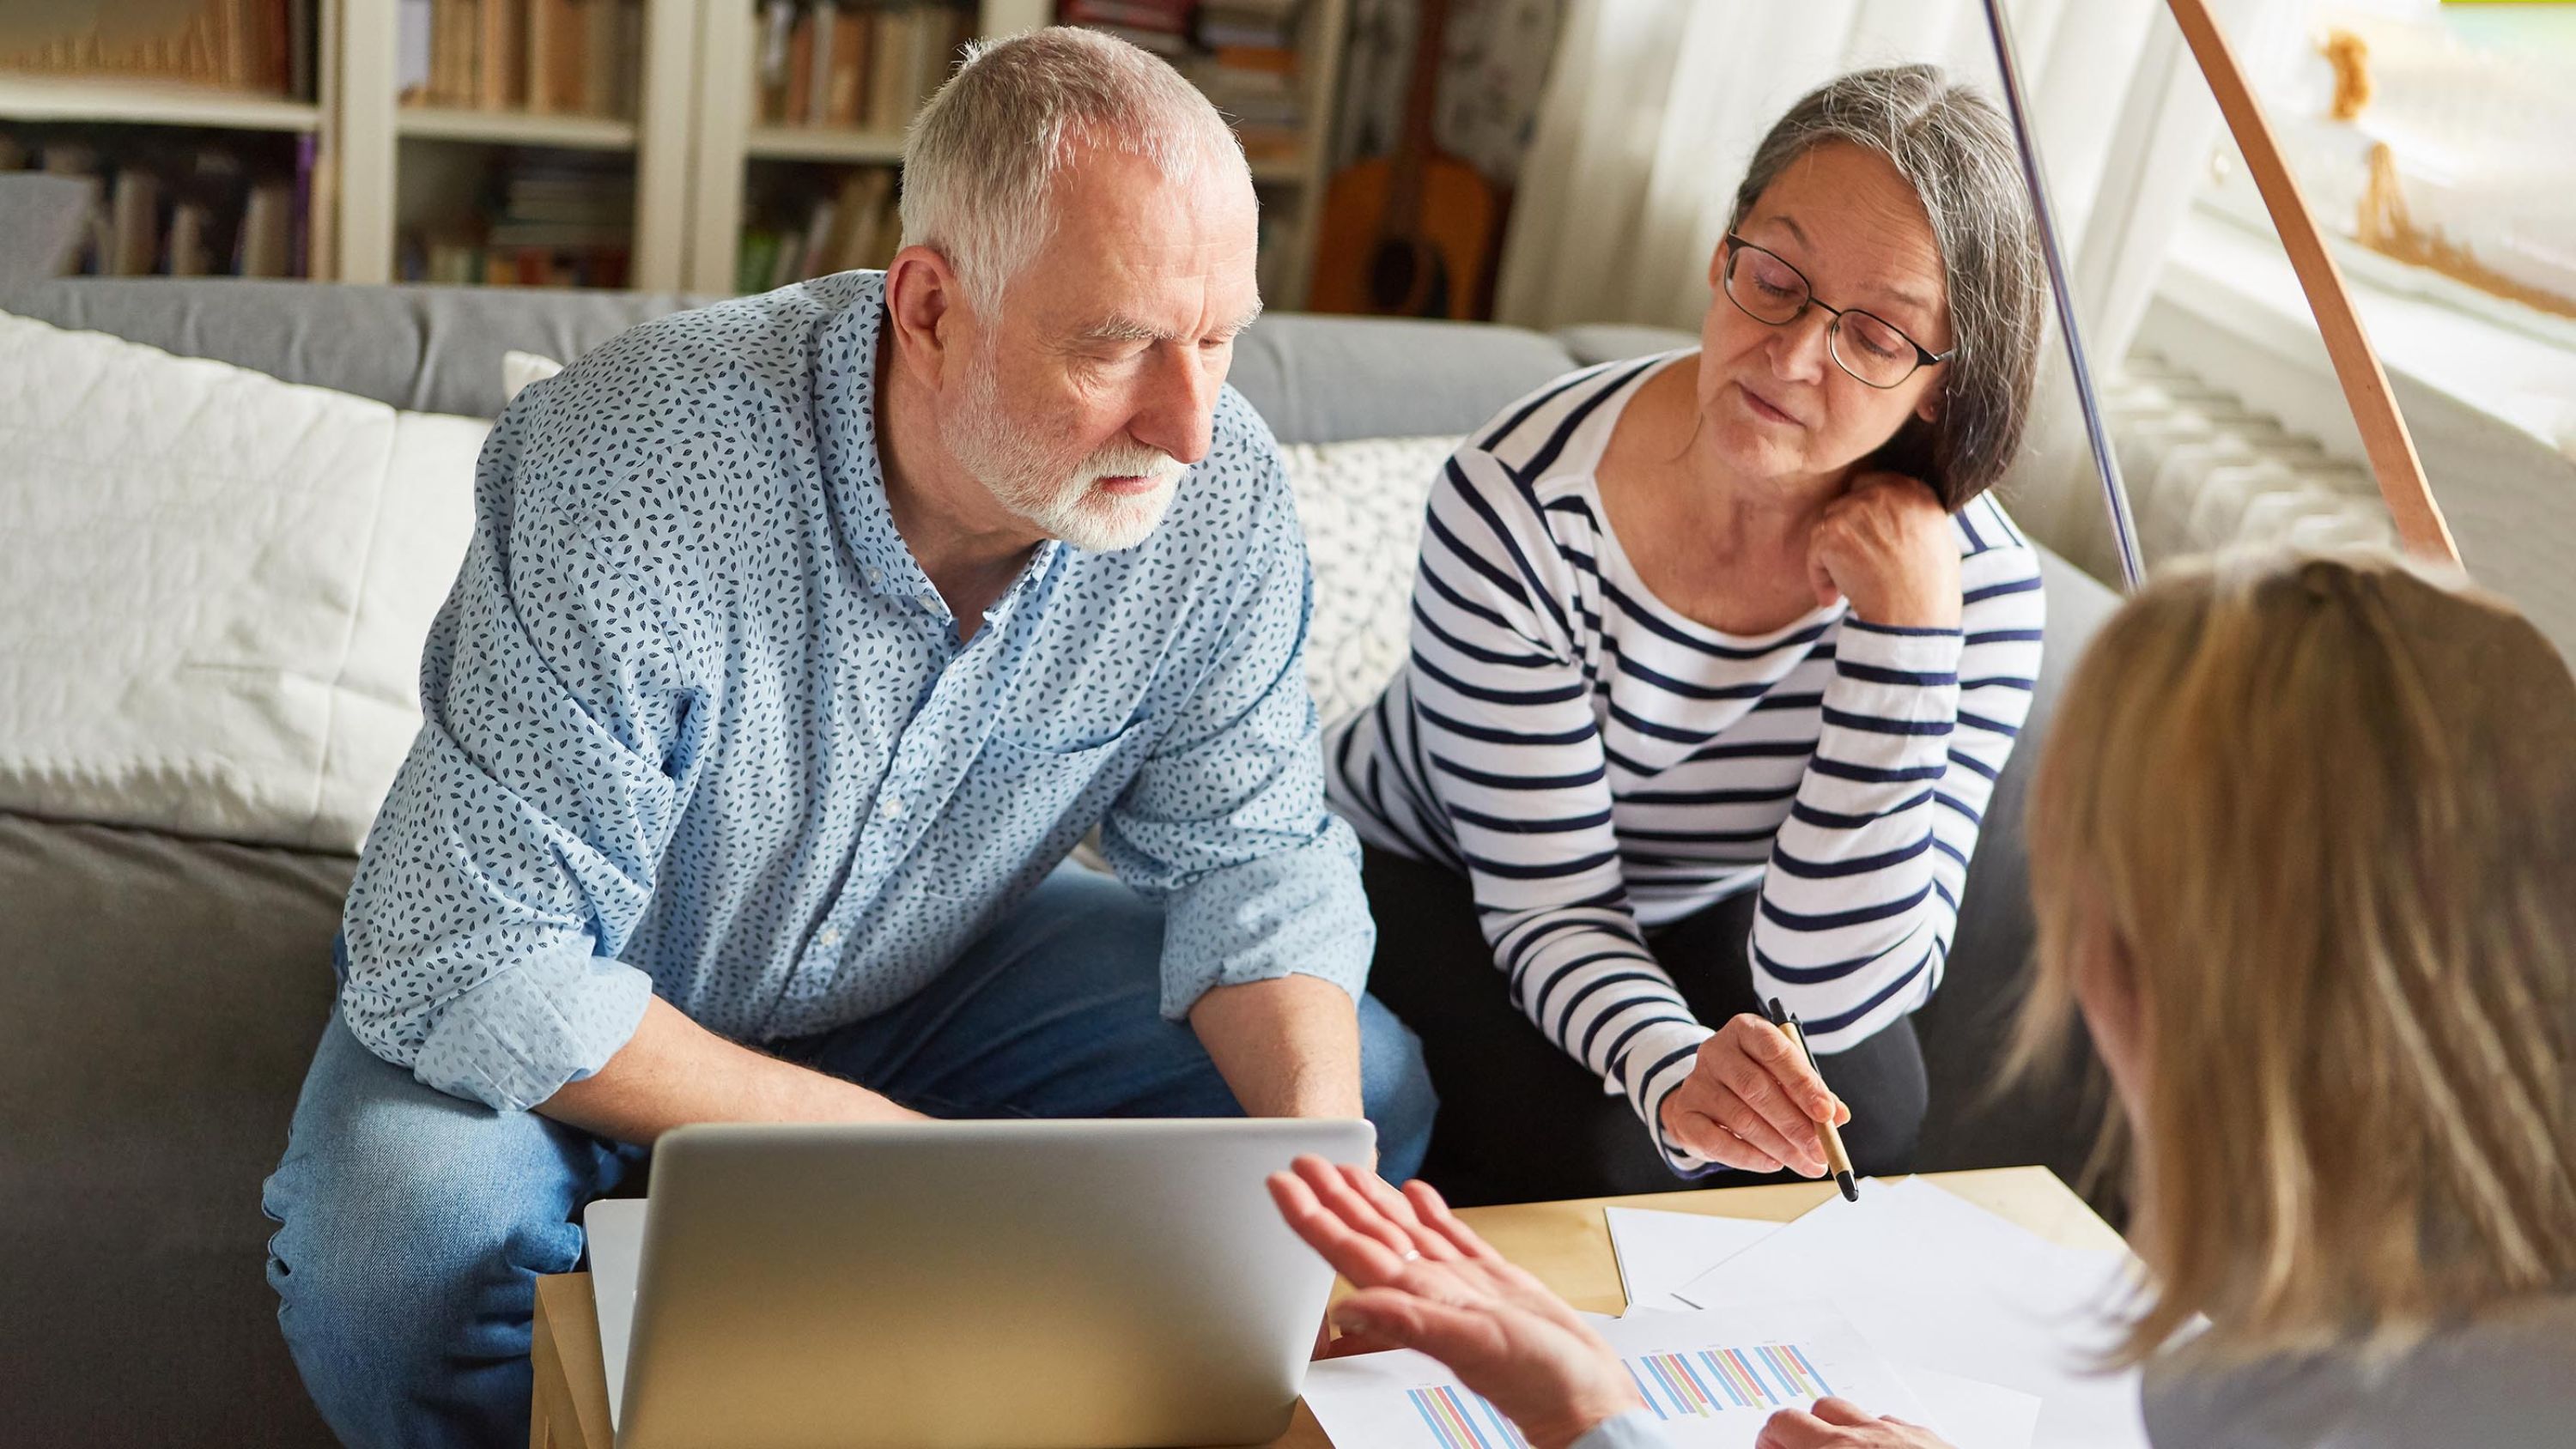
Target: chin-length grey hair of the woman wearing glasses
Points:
(1959, 156)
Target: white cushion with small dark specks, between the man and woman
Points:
(1361, 506)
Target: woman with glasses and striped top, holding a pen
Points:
(1717, 658)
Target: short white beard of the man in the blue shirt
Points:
(1060, 501)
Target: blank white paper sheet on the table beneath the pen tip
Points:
(1936, 1280)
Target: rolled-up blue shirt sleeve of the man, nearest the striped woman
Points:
(1225, 825)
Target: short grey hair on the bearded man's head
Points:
(985, 153)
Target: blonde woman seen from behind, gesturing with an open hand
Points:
(2304, 853)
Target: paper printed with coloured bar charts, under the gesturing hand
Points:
(1714, 1378)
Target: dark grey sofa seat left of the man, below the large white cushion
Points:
(164, 1002)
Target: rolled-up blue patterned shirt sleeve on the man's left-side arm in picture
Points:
(519, 843)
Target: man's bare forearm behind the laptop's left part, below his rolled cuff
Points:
(676, 1072)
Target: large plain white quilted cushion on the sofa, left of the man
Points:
(215, 588)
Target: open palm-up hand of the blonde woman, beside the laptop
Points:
(1431, 1283)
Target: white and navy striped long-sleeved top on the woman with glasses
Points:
(1598, 766)
